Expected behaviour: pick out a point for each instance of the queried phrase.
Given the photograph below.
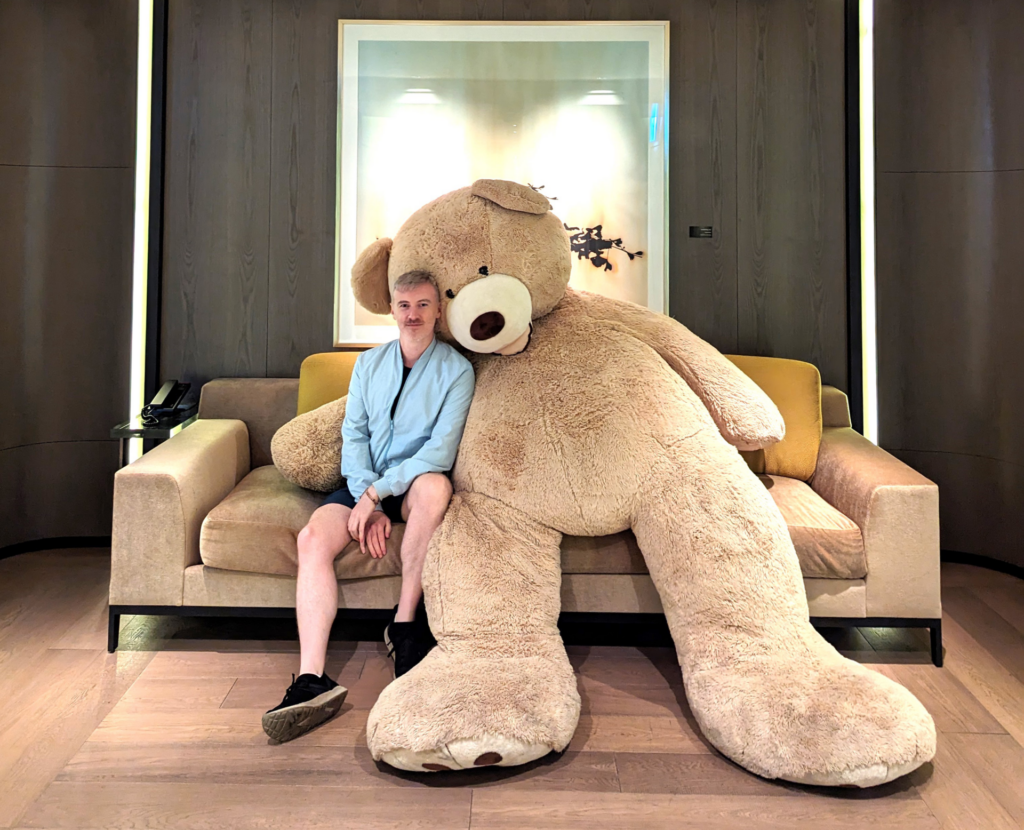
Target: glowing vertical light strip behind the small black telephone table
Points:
(141, 250)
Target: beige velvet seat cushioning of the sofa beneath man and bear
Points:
(255, 528)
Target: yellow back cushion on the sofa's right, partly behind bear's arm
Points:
(795, 388)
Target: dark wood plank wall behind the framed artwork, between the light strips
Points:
(757, 150)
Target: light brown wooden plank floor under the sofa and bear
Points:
(166, 733)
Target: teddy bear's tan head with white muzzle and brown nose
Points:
(500, 257)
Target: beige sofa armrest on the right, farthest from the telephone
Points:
(898, 511)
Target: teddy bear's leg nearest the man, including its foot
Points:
(498, 689)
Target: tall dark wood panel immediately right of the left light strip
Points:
(215, 296)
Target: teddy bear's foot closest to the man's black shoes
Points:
(464, 713)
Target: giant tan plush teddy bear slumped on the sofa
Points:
(593, 416)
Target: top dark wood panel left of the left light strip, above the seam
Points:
(68, 95)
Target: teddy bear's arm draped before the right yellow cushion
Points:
(745, 415)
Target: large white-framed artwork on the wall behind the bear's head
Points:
(576, 110)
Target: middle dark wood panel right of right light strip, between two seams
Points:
(951, 301)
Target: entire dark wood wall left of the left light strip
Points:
(67, 157)
